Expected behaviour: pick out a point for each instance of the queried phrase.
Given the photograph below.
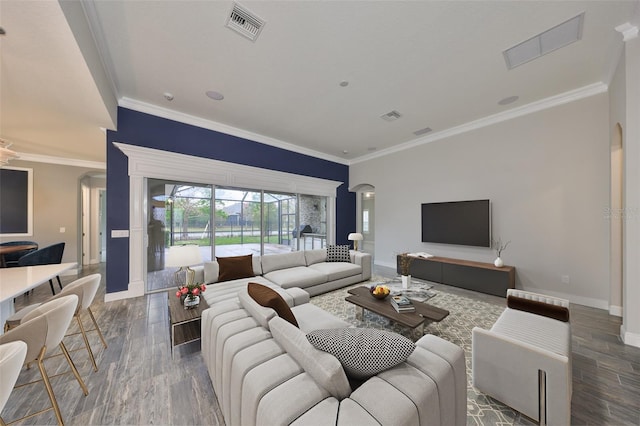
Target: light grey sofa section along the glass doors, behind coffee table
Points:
(307, 269)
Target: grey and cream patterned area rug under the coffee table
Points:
(465, 313)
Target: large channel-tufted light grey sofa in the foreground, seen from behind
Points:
(265, 372)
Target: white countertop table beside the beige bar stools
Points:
(15, 282)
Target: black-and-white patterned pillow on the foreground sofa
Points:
(363, 352)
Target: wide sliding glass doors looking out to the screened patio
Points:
(225, 221)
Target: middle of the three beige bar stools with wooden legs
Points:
(43, 329)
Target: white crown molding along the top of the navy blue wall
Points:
(222, 128)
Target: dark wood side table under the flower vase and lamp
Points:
(185, 323)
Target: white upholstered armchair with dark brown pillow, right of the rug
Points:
(506, 359)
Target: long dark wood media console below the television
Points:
(476, 276)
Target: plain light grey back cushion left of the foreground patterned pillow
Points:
(325, 369)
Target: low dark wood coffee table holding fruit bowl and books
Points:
(361, 297)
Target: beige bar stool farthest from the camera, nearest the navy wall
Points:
(85, 288)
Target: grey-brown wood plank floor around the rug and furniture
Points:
(139, 383)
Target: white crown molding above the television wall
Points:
(553, 101)
